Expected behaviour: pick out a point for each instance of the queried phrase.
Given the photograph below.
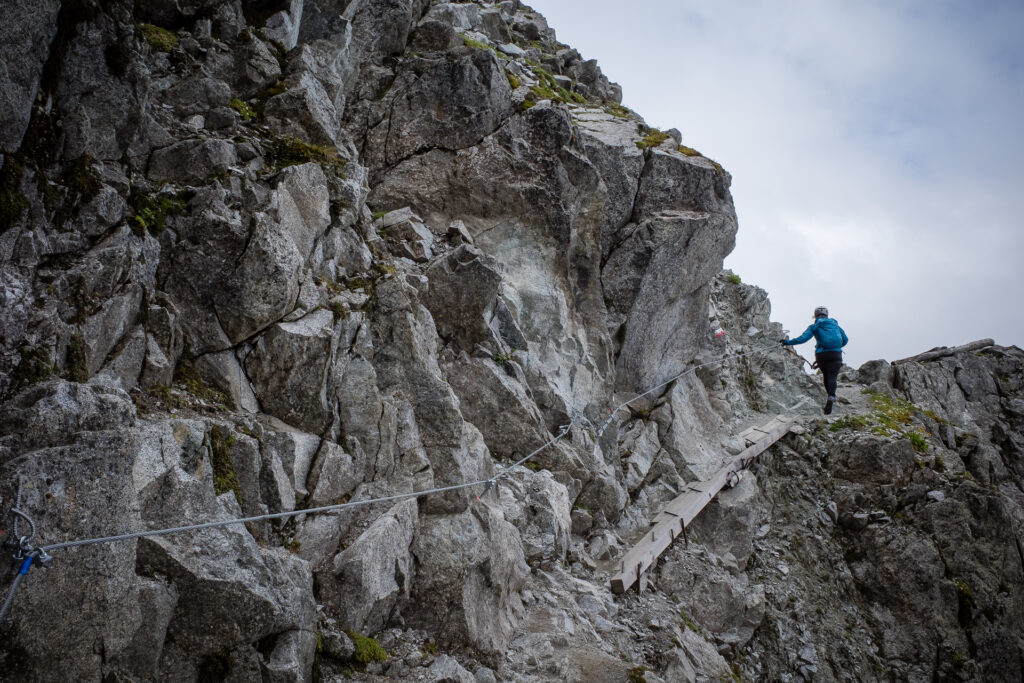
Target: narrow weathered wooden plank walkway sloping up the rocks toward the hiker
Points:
(682, 510)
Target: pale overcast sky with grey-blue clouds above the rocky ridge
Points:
(877, 150)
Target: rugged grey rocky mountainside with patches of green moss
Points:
(275, 257)
